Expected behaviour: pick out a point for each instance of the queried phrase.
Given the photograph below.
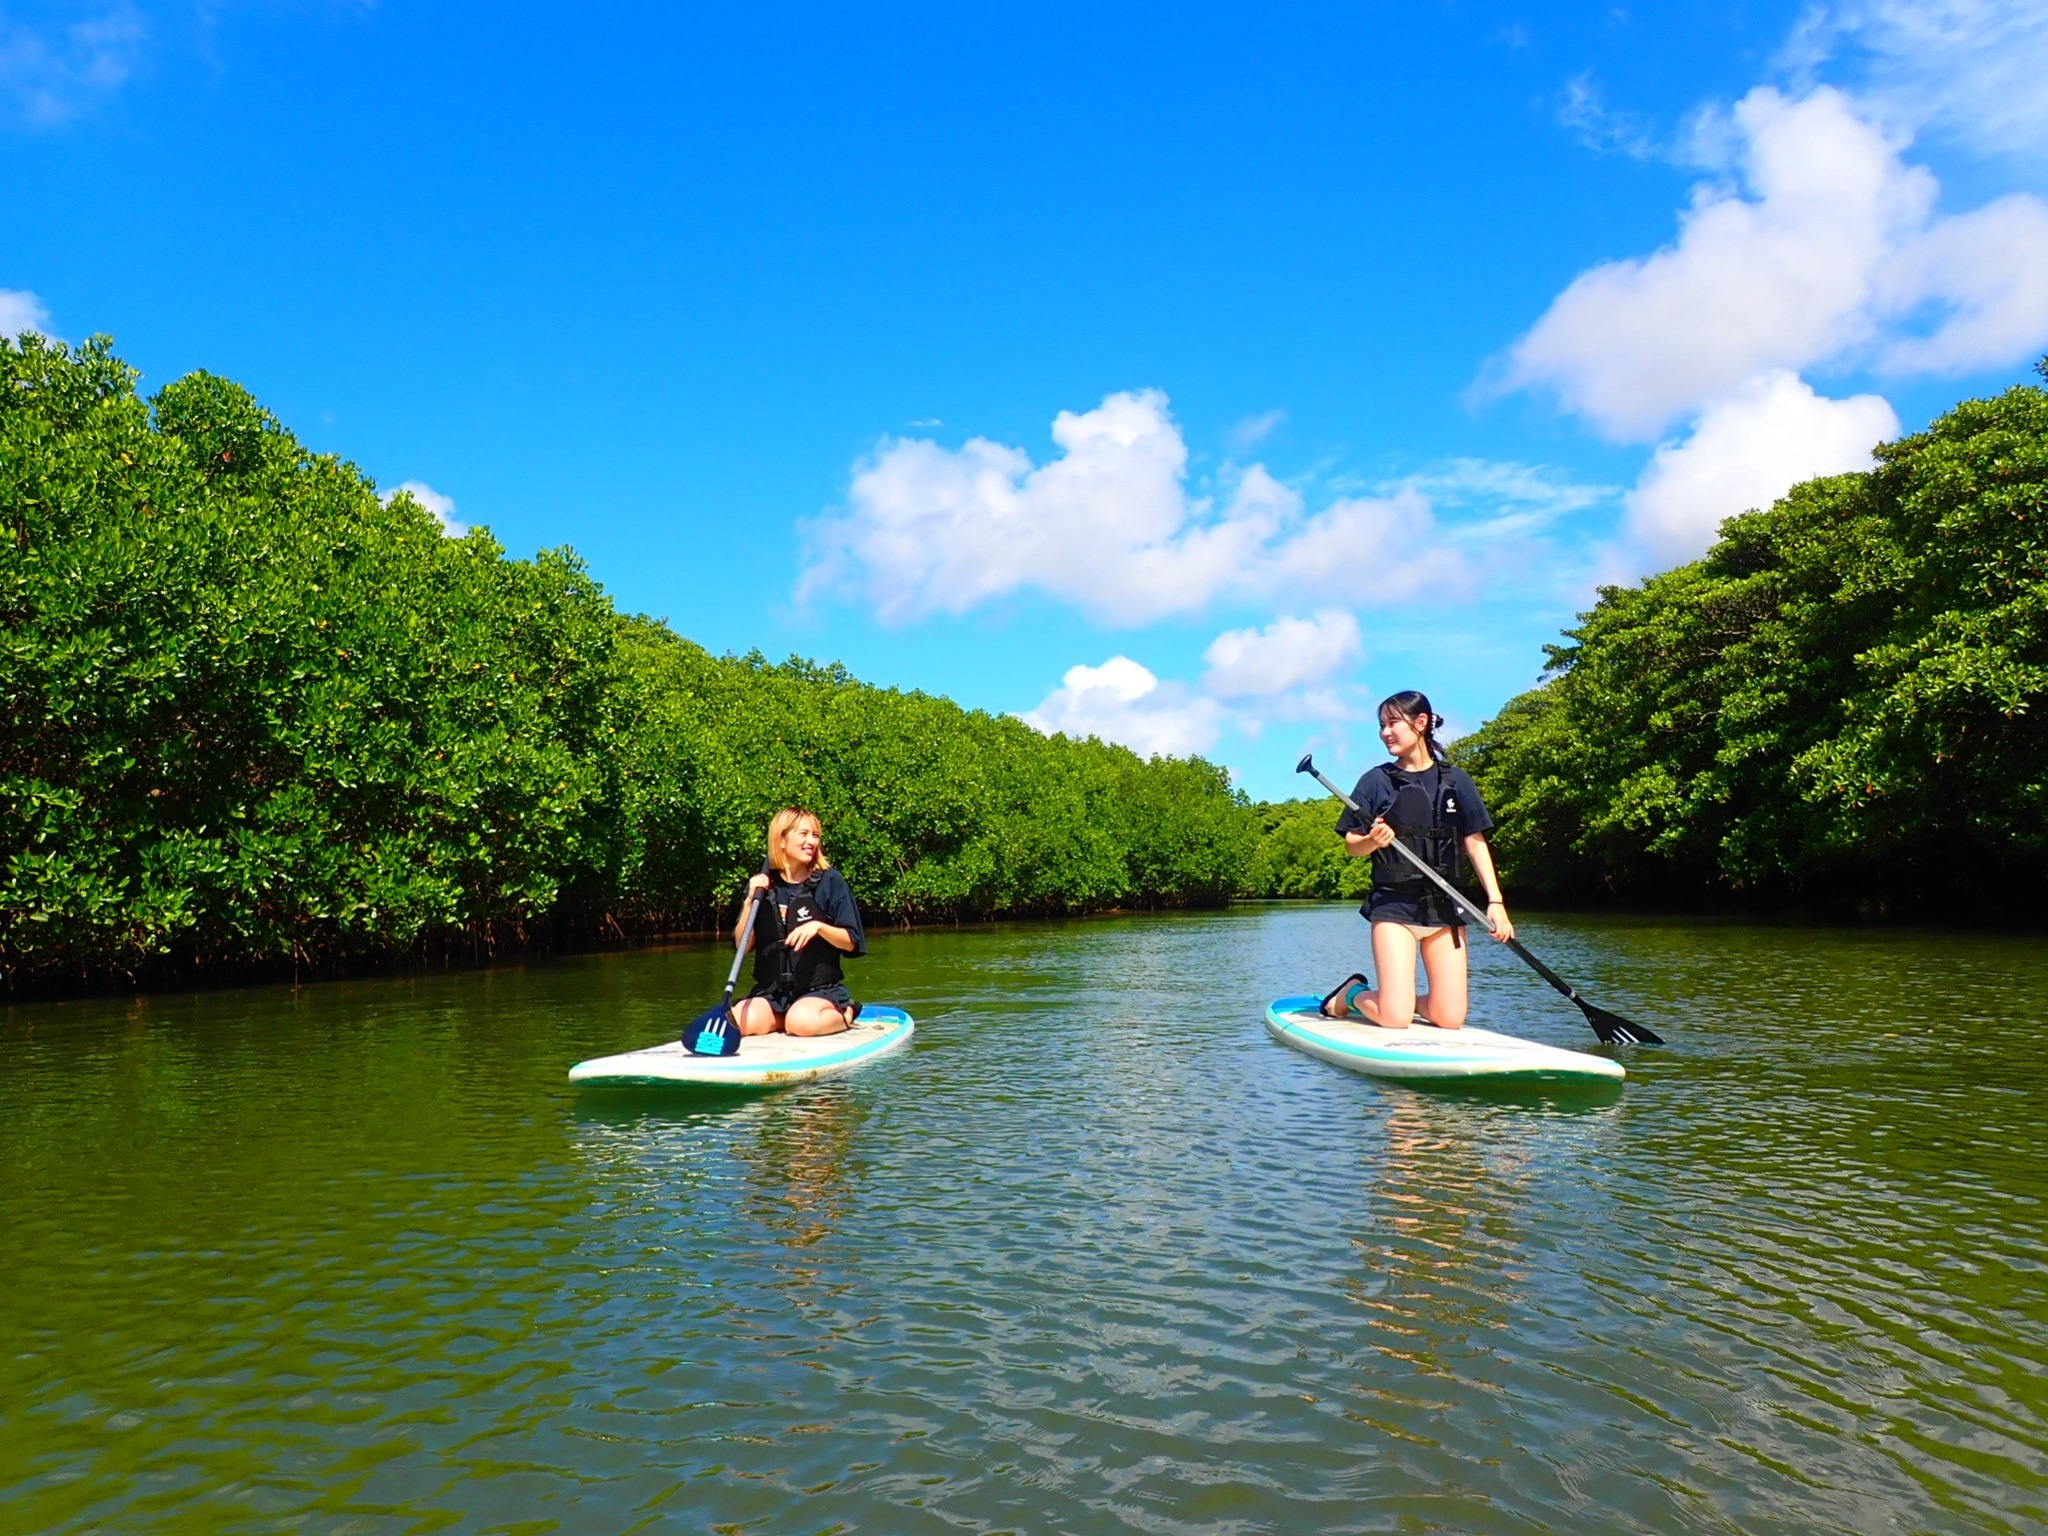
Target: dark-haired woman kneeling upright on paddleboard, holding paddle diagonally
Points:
(1435, 812)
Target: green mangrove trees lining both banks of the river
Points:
(267, 722)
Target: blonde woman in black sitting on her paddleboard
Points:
(806, 925)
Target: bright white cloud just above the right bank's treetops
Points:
(1746, 454)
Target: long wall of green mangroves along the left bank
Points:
(259, 716)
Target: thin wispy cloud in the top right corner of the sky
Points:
(1965, 69)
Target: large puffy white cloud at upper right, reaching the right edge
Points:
(1824, 249)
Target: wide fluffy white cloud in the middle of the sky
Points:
(1111, 527)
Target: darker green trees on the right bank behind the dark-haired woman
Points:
(1844, 699)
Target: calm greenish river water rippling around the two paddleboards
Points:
(1095, 1256)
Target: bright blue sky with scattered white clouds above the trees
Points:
(1377, 335)
